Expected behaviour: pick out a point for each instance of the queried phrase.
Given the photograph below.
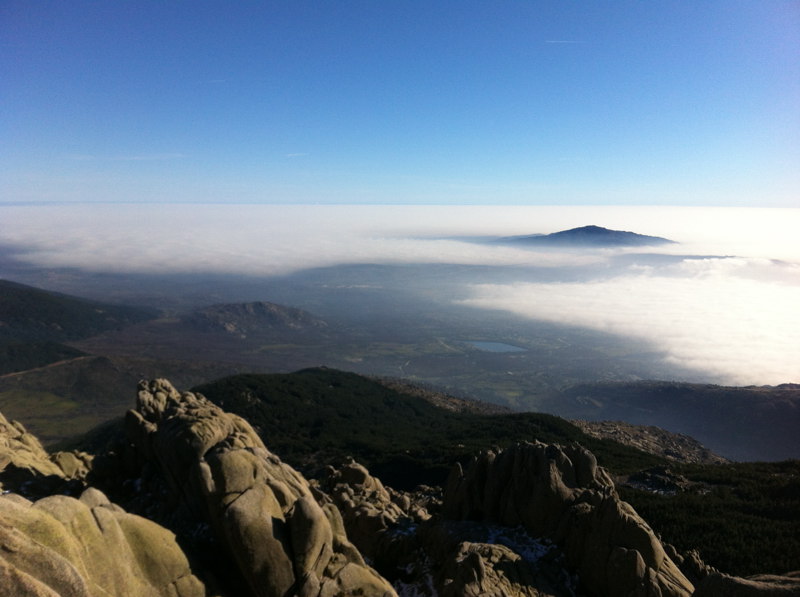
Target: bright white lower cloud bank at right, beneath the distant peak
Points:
(742, 331)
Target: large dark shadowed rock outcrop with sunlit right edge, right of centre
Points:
(562, 494)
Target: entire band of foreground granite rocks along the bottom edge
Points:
(524, 522)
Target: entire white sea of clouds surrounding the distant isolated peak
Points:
(728, 304)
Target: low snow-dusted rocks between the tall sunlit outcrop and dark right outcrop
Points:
(425, 555)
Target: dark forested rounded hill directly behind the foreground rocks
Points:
(402, 435)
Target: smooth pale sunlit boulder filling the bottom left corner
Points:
(87, 547)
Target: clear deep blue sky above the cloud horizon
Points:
(562, 102)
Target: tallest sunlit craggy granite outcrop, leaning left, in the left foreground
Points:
(260, 510)
